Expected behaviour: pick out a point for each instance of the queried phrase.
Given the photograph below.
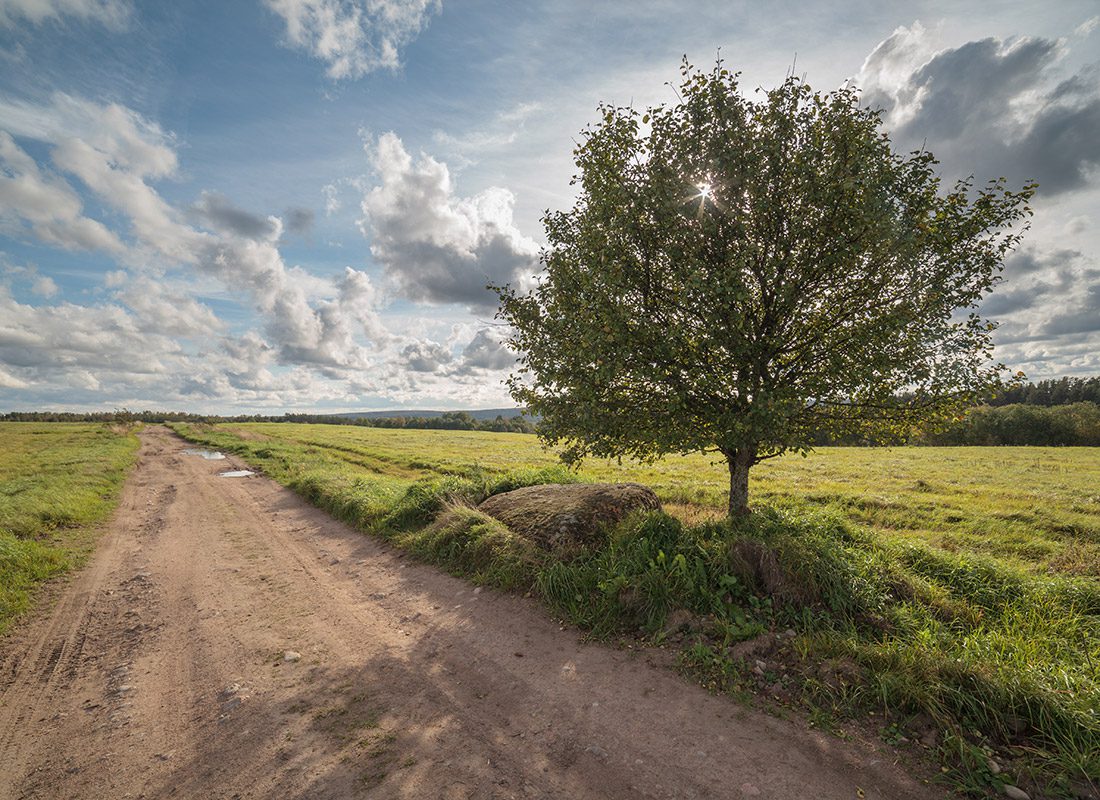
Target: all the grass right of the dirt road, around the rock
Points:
(949, 595)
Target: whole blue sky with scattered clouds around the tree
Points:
(262, 206)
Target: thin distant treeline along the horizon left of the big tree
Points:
(448, 421)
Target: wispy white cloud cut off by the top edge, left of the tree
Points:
(354, 37)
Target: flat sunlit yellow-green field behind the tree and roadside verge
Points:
(1036, 508)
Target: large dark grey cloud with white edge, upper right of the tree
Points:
(991, 107)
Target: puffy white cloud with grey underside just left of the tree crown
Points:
(437, 247)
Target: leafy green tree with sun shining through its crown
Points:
(738, 276)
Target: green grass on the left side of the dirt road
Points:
(58, 483)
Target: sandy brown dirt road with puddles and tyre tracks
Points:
(228, 641)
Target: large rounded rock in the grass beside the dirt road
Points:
(565, 517)
